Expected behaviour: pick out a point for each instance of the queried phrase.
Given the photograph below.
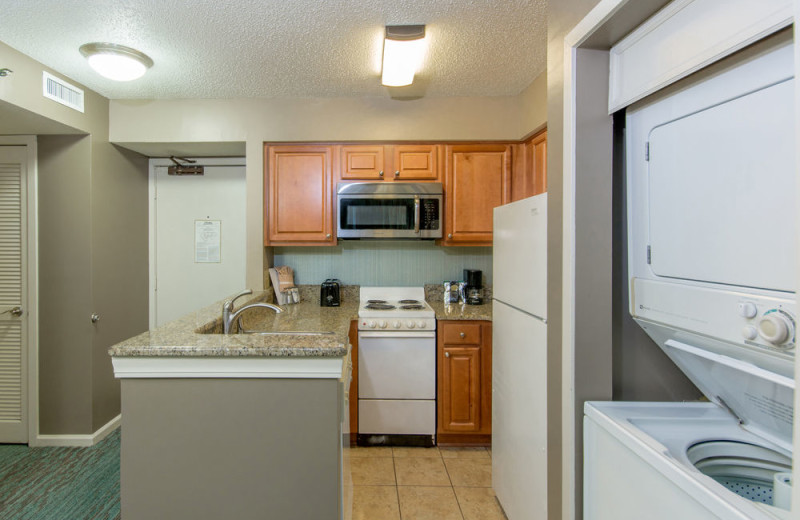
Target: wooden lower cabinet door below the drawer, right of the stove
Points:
(460, 389)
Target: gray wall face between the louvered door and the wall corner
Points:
(65, 332)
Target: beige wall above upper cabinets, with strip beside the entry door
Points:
(145, 125)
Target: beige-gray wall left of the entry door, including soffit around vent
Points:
(92, 246)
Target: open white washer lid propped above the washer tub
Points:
(762, 400)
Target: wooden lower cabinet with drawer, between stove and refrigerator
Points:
(464, 382)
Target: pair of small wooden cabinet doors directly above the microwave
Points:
(403, 162)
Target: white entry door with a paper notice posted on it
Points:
(197, 236)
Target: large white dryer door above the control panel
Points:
(722, 193)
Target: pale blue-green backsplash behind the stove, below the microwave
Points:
(389, 263)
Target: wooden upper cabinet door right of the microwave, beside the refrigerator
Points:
(478, 179)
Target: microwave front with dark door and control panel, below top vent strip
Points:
(389, 216)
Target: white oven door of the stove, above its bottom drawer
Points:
(396, 365)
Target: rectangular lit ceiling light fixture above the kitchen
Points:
(403, 50)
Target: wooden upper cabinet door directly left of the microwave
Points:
(299, 207)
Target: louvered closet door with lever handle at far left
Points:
(13, 354)
